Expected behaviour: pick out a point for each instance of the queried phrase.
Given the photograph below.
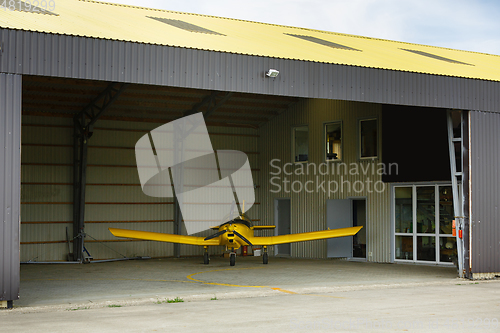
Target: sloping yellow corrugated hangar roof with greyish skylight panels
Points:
(151, 26)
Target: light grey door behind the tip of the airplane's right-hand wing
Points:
(338, 215)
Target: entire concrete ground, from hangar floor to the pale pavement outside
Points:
(285, 295)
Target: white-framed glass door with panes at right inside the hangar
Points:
(423, 216)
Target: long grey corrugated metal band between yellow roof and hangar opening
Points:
(86, 58)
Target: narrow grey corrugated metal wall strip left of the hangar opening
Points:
(10, 158)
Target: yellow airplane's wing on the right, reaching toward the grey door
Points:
(305, 236)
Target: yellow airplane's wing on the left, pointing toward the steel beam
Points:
(161, 237)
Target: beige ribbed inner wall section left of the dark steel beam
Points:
(45, 183)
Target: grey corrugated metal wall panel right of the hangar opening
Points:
(485, 196)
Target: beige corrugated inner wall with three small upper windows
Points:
(308, 209)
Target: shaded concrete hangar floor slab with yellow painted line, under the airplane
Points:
(58, 286)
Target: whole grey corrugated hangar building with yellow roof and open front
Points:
(397, 137)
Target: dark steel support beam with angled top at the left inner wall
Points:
(83, 129)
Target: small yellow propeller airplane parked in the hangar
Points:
(234, 234)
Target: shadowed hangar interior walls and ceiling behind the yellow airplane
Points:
(265, 127)
